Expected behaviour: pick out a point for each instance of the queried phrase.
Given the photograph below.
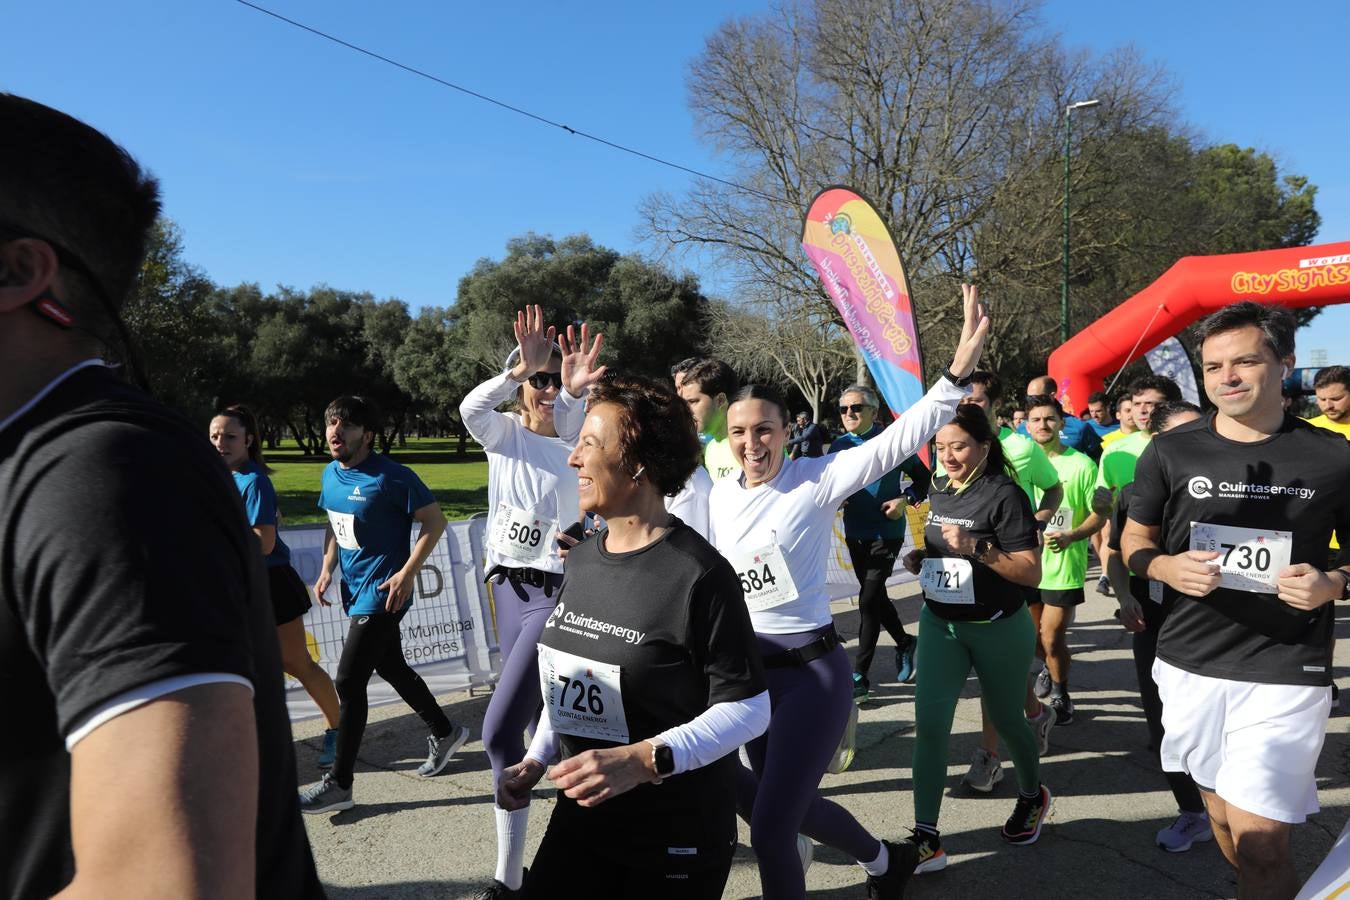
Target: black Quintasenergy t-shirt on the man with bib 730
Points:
(1263, 507)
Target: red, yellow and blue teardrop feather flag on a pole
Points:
(861, 268)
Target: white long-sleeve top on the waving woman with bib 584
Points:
(796, 511)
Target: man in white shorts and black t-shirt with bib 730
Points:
(1232, 516)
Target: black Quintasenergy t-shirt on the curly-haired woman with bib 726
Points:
(638, 644)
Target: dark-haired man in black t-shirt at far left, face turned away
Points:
(148, 751)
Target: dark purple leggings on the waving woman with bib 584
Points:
(780, 798)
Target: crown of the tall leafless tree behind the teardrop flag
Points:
(935, 110)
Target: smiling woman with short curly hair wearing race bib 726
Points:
(649, 671)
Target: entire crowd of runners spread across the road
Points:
(658, 559)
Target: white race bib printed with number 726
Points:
(583, 697)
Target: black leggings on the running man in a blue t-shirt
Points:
(375, 644)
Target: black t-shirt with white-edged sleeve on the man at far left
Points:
(125, 559)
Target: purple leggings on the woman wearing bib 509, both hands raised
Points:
(515, 706)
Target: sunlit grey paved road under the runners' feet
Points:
(411, 837)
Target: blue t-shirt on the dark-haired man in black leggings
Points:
(371, 509)
